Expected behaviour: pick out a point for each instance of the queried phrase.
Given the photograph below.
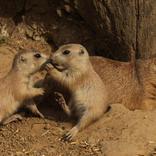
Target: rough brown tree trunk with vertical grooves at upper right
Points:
(122, 24)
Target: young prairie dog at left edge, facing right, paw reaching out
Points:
(16, 88)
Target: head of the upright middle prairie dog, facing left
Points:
(71, 57)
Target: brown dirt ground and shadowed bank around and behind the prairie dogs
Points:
(119, 132)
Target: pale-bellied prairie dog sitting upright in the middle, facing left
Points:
(88, 96)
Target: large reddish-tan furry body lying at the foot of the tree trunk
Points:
(134, 91)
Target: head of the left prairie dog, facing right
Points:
(29, 61)
